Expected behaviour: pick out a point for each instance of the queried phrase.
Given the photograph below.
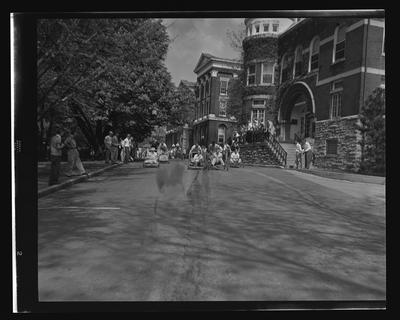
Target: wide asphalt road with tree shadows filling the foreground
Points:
(172, 234)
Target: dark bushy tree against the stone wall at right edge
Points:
(372, 129)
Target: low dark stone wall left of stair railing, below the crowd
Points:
(258, 153)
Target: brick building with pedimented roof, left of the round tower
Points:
(211, 121)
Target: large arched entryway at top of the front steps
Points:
(297, 113)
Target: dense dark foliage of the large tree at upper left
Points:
(101, 73)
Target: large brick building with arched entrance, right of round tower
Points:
(327, 69)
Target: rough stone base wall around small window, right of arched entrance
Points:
(348, 150)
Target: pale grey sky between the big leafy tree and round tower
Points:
(192, 37)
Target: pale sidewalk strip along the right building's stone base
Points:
(352, 177)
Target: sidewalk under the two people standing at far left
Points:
(91, 167)
